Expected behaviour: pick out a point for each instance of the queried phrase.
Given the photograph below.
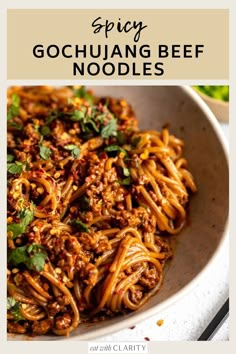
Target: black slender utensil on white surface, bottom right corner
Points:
(216, 323)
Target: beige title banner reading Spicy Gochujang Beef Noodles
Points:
(127, 44)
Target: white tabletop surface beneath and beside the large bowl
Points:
(187, 319)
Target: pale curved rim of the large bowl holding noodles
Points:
(138, 317)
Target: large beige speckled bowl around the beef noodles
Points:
(188, 118)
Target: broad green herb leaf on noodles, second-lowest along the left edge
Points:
(33, 256)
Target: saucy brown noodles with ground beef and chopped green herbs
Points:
(91, 201)
